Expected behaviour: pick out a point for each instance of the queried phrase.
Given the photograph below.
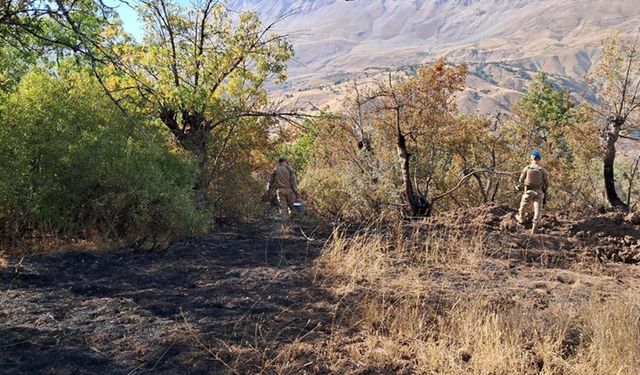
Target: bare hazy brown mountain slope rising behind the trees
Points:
(505, 42)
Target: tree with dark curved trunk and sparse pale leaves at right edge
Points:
(616, 81)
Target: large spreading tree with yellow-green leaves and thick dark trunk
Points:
(201, 72)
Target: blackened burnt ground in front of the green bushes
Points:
(231, 300)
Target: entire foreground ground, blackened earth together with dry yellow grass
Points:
(246, 300)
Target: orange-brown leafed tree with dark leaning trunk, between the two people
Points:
(419, 115)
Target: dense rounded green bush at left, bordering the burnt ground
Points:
(72, 163)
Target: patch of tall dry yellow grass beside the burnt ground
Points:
(401, 296)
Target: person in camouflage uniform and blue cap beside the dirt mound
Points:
(533, 182)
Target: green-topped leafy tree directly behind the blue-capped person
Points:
(550, 120)
